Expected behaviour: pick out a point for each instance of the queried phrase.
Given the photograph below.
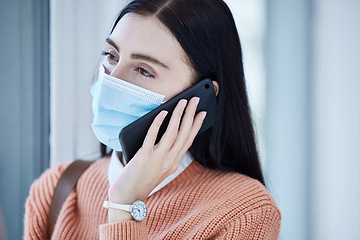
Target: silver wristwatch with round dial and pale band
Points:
(137, 210)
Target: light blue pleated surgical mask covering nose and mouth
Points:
(116, 104)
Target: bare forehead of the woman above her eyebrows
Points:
(147, 35)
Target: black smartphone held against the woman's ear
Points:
(132, 136)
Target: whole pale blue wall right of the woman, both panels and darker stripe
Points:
(313, 117)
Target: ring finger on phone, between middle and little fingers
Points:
(186, 124)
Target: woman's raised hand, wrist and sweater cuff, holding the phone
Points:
(149, 167)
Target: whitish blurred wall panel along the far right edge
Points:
(336, 116)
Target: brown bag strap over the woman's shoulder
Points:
(62, 190)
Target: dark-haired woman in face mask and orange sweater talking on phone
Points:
(208, 186)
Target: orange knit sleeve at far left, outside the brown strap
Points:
(38, 202)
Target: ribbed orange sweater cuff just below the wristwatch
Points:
(129, 230)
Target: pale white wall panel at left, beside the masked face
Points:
(78, 32)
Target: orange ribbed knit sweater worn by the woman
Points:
(198, 204)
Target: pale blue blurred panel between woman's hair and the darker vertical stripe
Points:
(288, 113)
